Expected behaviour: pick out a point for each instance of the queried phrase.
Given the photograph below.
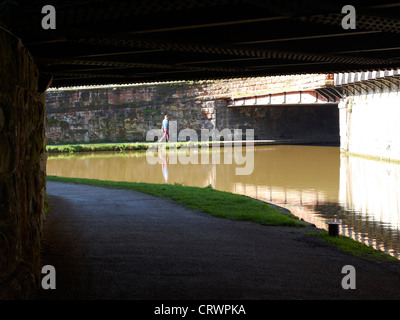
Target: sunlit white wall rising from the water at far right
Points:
(369, 124)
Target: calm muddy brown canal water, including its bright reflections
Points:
(317, 184)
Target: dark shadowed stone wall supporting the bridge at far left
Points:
(22, 170)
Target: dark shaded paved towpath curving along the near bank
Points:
(120, 244)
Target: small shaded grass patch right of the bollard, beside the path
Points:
(349, 245)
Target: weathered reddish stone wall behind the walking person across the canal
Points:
(124, 113)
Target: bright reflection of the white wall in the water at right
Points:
(370, 202)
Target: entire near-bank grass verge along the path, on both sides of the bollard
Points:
(233, 206)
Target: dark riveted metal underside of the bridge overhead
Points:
(102, 41)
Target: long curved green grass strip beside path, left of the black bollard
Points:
(214, 202)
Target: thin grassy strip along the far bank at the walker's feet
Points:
(71, 148)
